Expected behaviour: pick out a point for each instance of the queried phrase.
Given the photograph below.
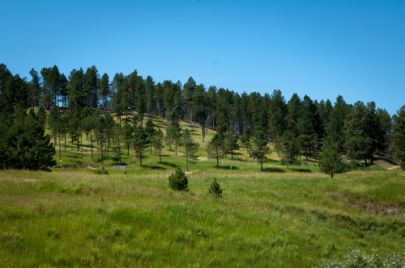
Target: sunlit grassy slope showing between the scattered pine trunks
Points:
(81, 157)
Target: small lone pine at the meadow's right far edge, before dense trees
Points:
(330, 160)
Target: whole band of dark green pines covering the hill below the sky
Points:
(112, 111)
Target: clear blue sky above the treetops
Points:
(321, 48)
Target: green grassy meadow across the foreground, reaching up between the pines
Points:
(283, 217)
